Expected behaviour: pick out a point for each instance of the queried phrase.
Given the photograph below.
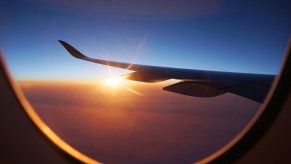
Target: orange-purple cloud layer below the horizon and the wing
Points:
(121, 127)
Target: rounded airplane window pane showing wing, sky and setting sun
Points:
(145, 81)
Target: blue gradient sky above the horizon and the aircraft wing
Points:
(225, 35)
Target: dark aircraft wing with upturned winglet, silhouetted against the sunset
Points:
(198, 83)
